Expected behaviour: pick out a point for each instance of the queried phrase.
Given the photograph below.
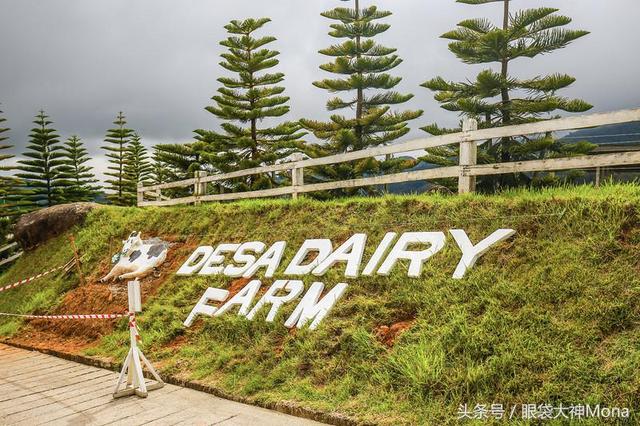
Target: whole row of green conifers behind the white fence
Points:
(366, 112)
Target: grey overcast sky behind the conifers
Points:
(157, 60)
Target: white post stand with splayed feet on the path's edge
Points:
(132, 367)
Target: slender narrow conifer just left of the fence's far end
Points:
(116, 143)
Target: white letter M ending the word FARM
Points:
(310, 308)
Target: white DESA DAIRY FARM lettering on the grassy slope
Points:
(253, 257)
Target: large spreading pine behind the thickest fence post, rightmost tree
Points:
(496, 98)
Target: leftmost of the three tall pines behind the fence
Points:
(242, 103)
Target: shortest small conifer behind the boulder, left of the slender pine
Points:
(77, 177)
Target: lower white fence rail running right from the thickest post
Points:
(581, 162)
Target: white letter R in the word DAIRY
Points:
(416, 258)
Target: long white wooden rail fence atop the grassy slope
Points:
(466, 171)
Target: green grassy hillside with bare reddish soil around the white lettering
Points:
(550, 316)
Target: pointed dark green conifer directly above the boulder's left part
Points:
(41, 170)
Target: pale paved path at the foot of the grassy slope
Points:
(41, 389)
